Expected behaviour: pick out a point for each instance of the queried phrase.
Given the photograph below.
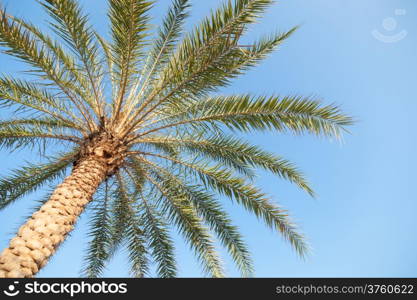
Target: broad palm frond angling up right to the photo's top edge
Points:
(205, 58)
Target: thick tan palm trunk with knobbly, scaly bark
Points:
(39, 238)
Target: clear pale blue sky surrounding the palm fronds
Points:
(363, 222)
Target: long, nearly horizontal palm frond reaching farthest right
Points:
(247, 113)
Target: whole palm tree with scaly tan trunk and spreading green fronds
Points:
(149, 145)
